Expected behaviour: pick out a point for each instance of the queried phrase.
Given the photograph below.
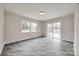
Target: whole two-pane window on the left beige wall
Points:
(28, 26)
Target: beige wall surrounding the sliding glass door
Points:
(67, 27)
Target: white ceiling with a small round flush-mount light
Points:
(32, 10)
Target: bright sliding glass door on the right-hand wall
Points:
(54, 30)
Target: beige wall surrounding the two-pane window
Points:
(13, 28)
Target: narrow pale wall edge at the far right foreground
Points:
(76, 30)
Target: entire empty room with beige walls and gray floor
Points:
(39, 29)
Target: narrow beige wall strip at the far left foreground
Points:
(1, 28)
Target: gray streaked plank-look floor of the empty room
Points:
(39, 47)
